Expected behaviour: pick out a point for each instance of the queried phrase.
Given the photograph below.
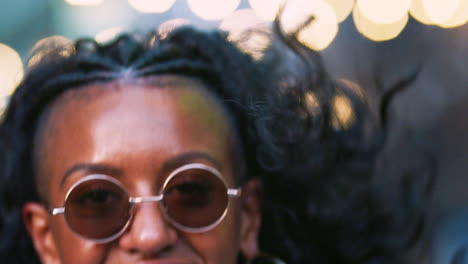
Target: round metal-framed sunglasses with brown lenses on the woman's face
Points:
(194, 198)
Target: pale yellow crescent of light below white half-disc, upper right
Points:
(378, 32)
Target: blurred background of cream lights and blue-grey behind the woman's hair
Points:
(373, 44)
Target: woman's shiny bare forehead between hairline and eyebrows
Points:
(106, 121)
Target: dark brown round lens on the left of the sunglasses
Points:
(97, 209)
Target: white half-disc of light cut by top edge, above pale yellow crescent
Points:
(383, 11)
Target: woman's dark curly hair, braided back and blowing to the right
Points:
(314, 166)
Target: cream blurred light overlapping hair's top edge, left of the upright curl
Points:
(253, 42)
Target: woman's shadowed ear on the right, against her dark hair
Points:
(251, 218)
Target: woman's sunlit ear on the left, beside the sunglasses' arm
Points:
(36, 219)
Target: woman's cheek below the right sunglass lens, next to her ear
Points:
(221, 244)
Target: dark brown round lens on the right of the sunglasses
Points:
(195, 198)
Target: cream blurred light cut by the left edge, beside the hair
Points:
(11, 70)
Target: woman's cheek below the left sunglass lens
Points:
(73, 249)
